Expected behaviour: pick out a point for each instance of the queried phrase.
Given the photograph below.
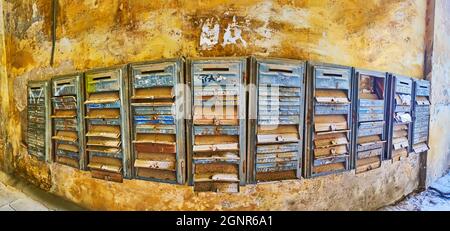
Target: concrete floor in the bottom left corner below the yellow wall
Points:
(19, 195)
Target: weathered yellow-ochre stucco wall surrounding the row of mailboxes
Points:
(385, 35)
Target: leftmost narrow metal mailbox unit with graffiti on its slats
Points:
(39, 127)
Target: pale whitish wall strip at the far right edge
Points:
(438, 160)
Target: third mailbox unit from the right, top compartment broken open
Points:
(370, 104)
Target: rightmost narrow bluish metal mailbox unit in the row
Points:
(421, 116)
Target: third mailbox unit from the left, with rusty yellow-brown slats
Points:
(106, 116)
